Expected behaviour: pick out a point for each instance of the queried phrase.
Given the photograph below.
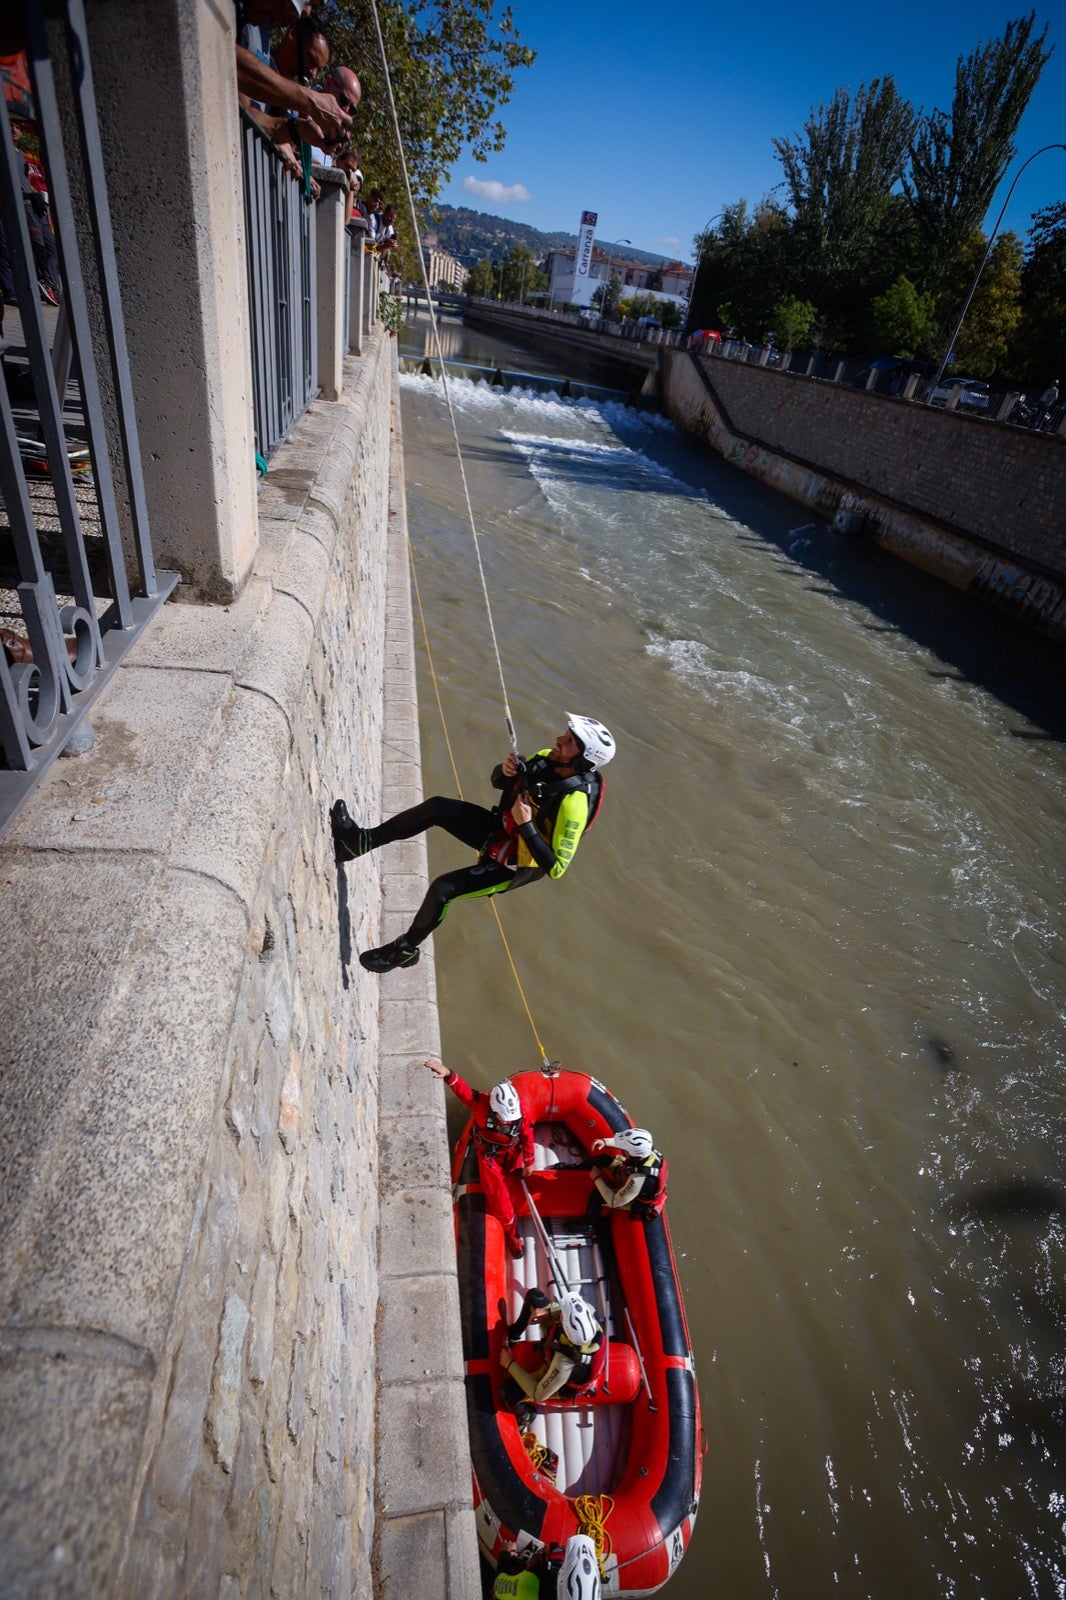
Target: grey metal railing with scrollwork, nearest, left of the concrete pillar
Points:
(78, 575)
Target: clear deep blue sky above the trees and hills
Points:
(657, 116)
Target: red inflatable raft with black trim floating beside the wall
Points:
(627, 1465)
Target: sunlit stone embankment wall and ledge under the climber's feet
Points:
(230, 1358)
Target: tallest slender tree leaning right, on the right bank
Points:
(960, 158)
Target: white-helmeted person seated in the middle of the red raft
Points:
(574, 1348)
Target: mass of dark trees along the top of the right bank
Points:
(878, 222)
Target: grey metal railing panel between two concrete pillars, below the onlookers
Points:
(281, 254)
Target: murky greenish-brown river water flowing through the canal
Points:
(814, 943)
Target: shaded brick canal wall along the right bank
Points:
(972, 503)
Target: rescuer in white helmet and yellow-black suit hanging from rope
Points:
(547, 806)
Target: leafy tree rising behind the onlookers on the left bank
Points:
(452, 66)
